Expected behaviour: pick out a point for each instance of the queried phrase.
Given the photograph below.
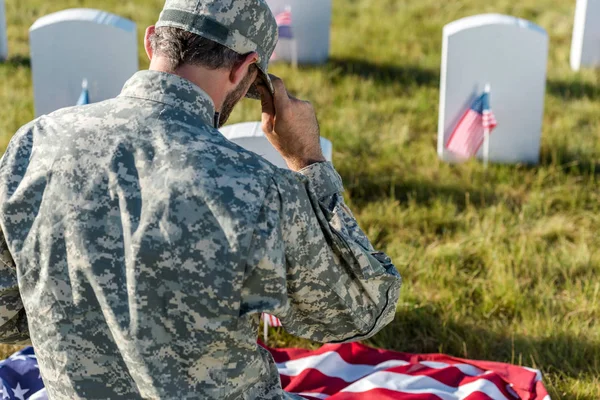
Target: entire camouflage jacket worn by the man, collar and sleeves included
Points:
(147, 245)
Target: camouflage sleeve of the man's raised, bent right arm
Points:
(313, 267)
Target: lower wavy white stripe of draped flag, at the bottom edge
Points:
(424, 385)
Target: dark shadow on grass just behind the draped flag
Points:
(424, 330)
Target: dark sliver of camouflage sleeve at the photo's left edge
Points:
(13, 320)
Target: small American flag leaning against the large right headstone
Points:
(468, 136)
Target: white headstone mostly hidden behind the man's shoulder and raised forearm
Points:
(250, 136)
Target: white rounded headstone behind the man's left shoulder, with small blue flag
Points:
(72, 45)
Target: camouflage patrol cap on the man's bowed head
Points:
(243, 26)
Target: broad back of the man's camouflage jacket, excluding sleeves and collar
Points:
(132, 261)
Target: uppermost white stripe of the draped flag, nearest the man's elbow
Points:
(332, 365)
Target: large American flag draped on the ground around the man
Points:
(349, 372)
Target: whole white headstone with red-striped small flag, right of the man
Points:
(511, 55)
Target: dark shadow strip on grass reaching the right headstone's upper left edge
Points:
(384, 73)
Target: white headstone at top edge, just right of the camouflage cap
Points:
(311, 24)
